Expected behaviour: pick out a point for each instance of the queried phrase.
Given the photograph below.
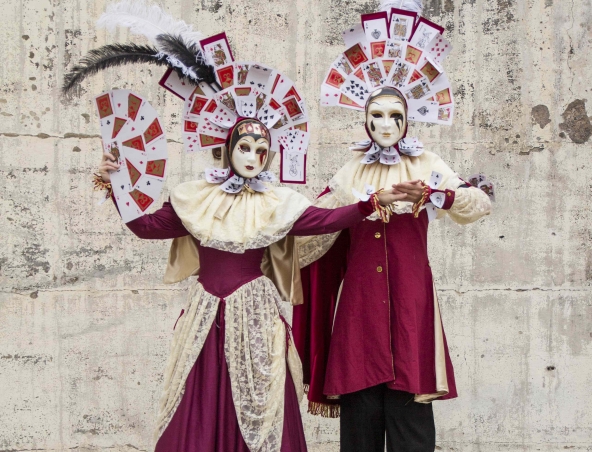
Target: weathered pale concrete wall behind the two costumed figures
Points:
(86, 322)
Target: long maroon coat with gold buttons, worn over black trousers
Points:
(383, 328)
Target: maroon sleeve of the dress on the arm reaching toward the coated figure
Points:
(317, 221)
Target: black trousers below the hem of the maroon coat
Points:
(368, 414)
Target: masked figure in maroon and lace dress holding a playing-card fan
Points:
(233, 380)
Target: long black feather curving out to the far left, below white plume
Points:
(109, 56)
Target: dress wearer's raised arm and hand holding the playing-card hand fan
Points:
(162, 224)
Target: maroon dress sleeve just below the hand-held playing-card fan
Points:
(162, 224)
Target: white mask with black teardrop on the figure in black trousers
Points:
(386, 119)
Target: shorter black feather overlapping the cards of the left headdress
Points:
(189, 56)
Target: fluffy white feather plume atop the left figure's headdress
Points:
(147, 20)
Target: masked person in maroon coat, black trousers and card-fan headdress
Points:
(370, 332)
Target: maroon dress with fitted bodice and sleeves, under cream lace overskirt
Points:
(205, 419)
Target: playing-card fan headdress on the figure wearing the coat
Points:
(398, 48)
